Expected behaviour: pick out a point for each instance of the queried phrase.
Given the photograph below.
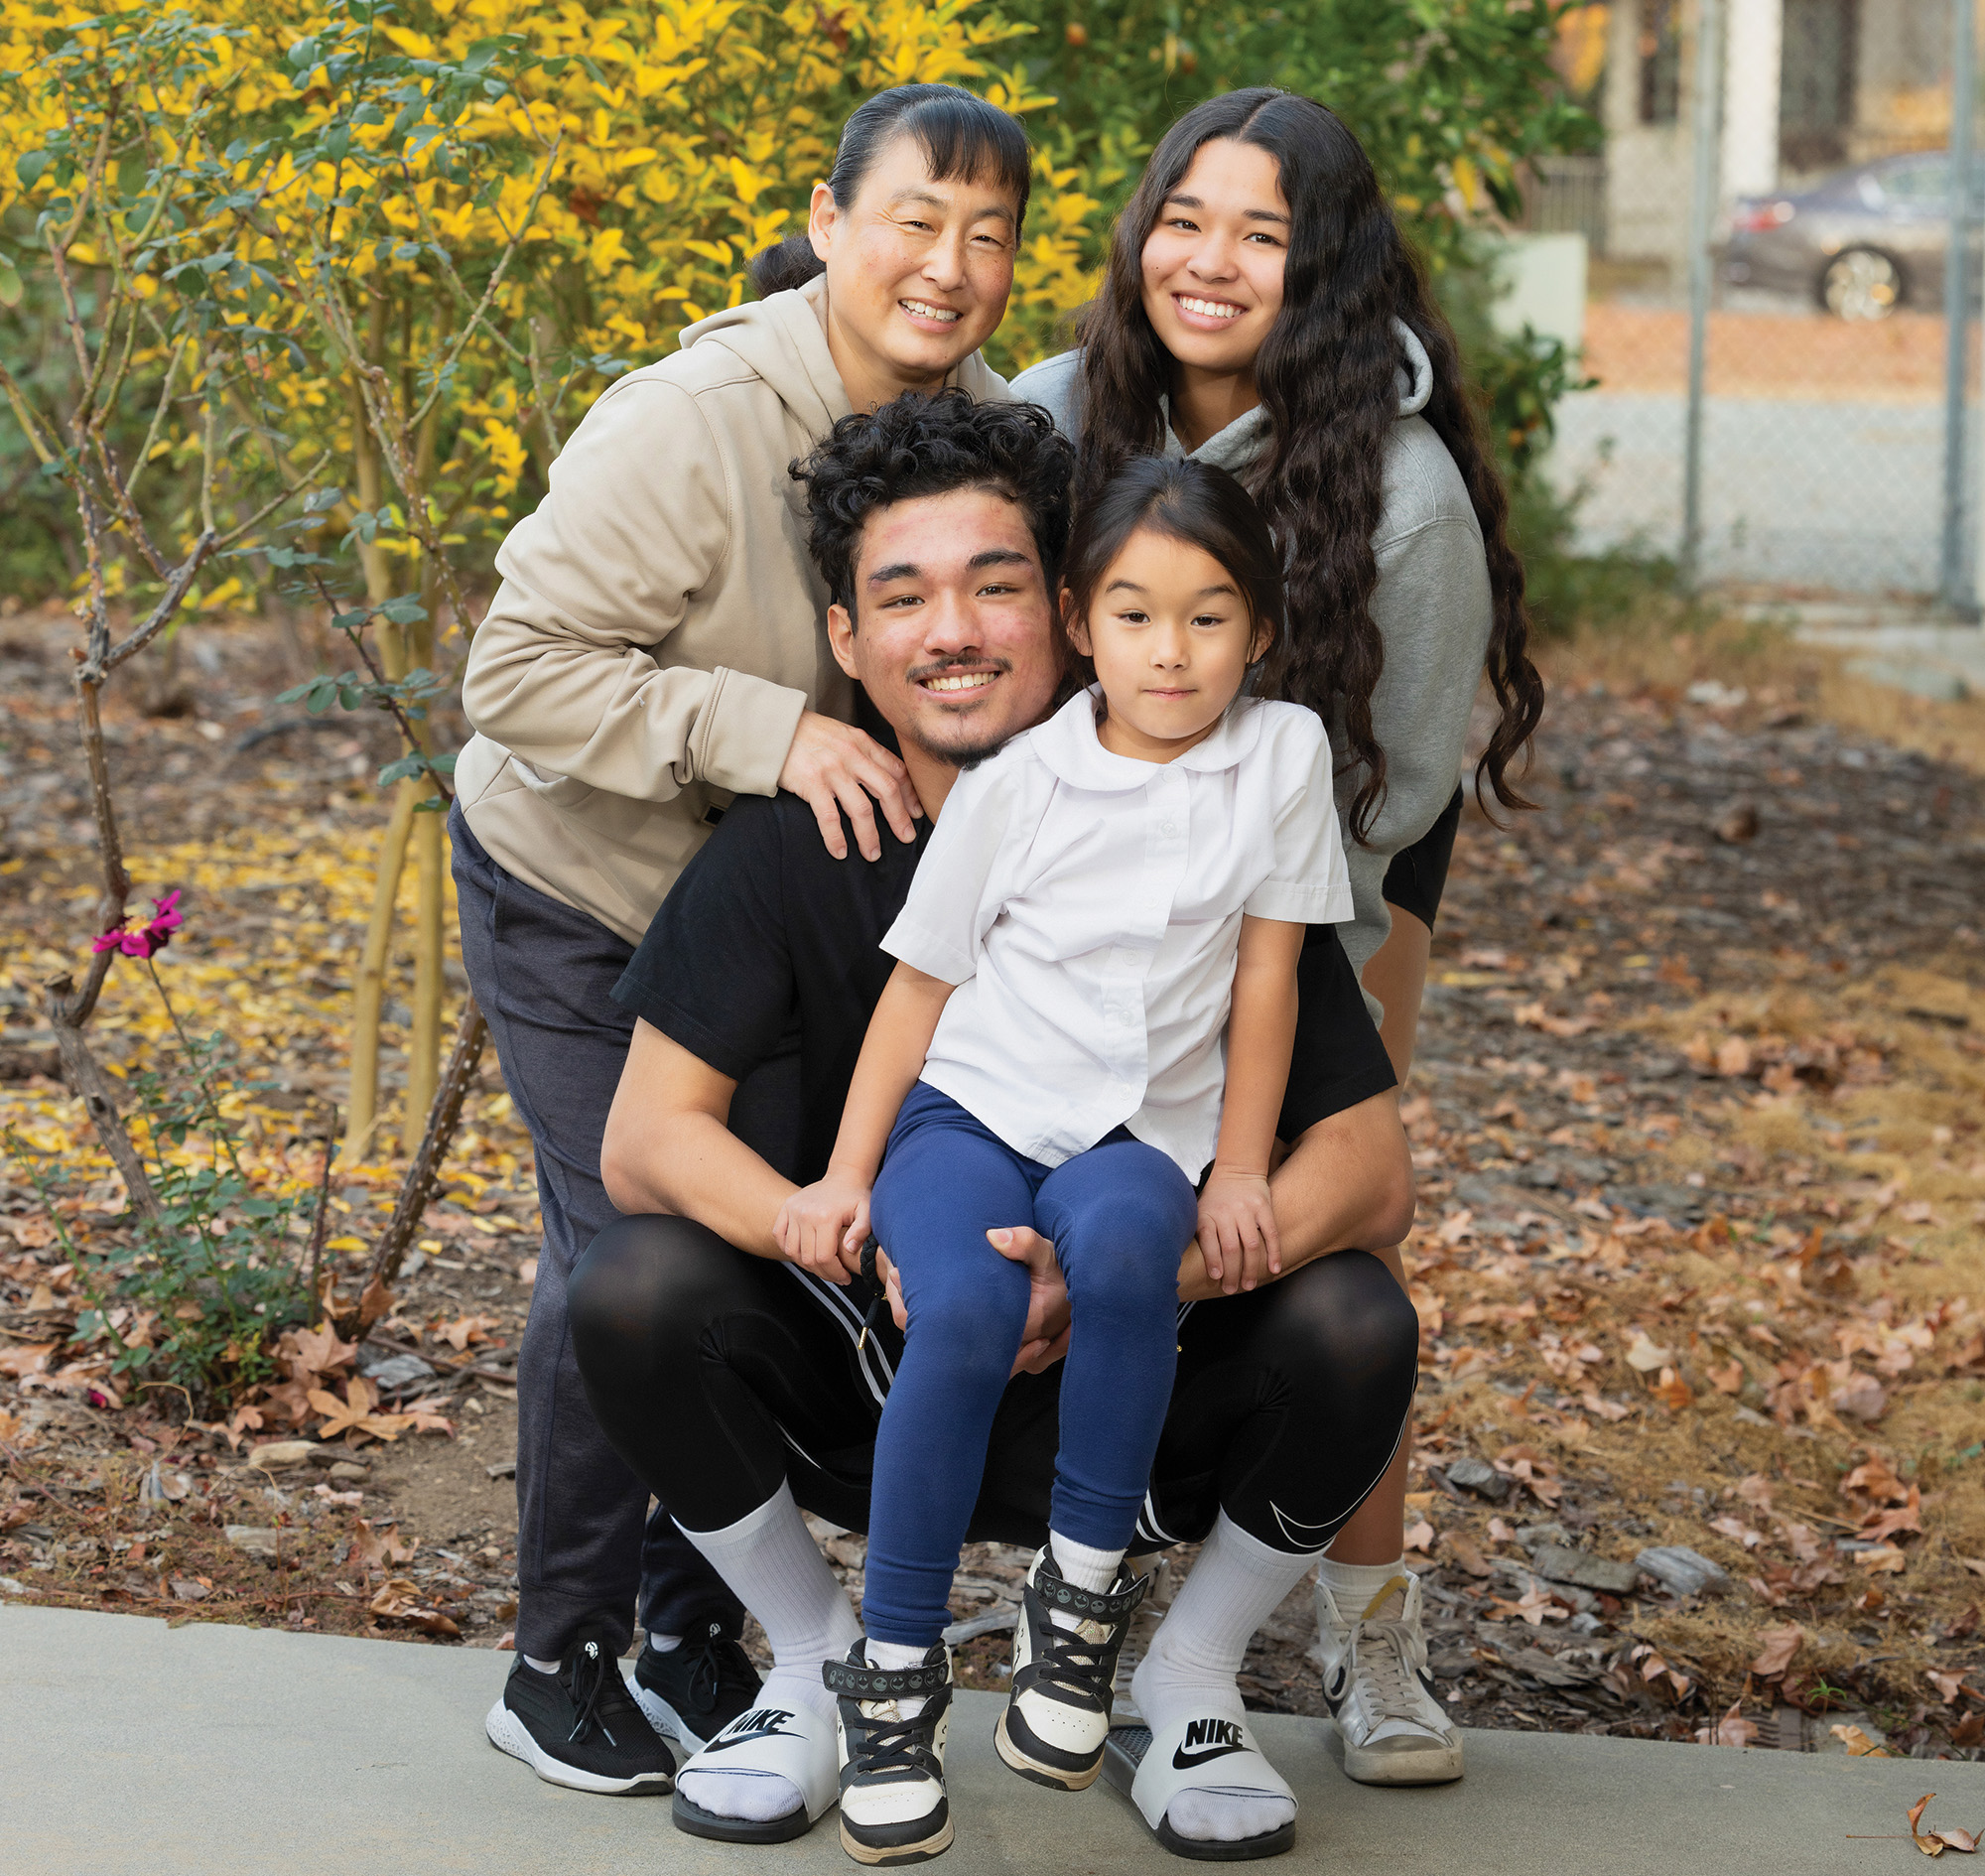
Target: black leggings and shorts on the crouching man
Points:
(720, 1377)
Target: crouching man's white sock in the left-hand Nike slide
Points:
(775, 1569)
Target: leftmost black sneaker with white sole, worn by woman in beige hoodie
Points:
(581, 1726)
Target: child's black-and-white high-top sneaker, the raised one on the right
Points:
(1063, 1678)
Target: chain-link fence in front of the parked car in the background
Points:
(1805, 148)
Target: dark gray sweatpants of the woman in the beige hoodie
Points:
(543, 976)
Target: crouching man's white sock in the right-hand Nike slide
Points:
(1196, 1659)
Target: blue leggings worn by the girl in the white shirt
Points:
(1121, 1218)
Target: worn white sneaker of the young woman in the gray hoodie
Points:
(1379, 1688)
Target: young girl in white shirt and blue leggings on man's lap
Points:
(1095, 1000)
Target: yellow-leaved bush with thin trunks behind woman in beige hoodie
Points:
(342, 277)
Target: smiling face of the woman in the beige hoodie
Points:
(918, 273)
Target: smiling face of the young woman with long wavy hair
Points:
(1214, 261)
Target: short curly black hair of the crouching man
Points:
(932, 444)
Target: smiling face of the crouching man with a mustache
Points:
(954, 642)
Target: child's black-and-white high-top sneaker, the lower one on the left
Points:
(894, 1806)
